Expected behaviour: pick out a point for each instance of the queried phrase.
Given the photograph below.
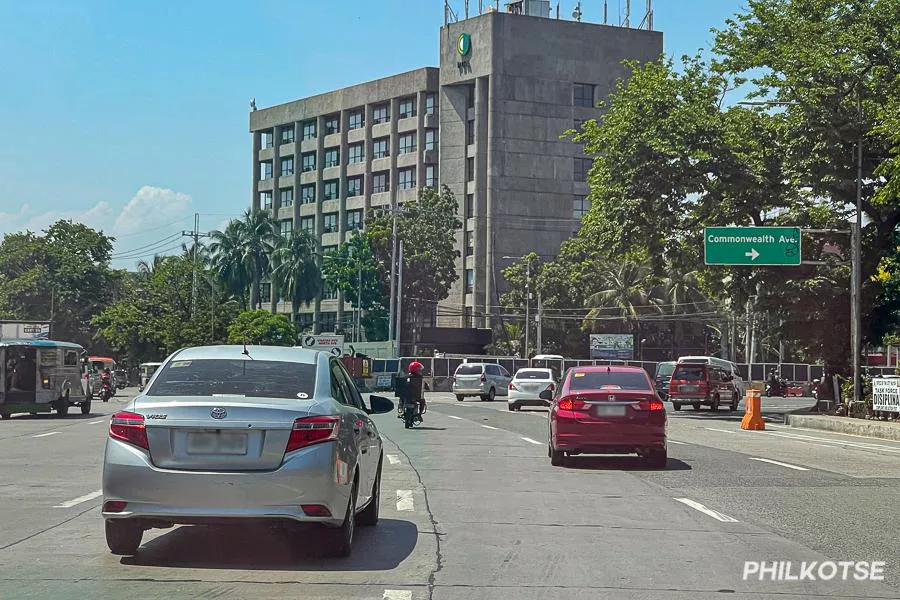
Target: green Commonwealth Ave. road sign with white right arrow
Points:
(752, 245)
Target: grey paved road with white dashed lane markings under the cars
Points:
(473, 510)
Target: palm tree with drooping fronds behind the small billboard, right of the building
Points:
(625, 287)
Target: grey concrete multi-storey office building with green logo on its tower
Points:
(487, 124)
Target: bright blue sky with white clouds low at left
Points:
(133, 115)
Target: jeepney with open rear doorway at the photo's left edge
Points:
(42, 375)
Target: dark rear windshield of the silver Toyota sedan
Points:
(236, 377)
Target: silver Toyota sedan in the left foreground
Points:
(233, 434)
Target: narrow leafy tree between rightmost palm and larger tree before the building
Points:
(353, 269)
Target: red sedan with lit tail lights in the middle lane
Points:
(607, 410)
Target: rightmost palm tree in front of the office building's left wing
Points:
(295, 270)
